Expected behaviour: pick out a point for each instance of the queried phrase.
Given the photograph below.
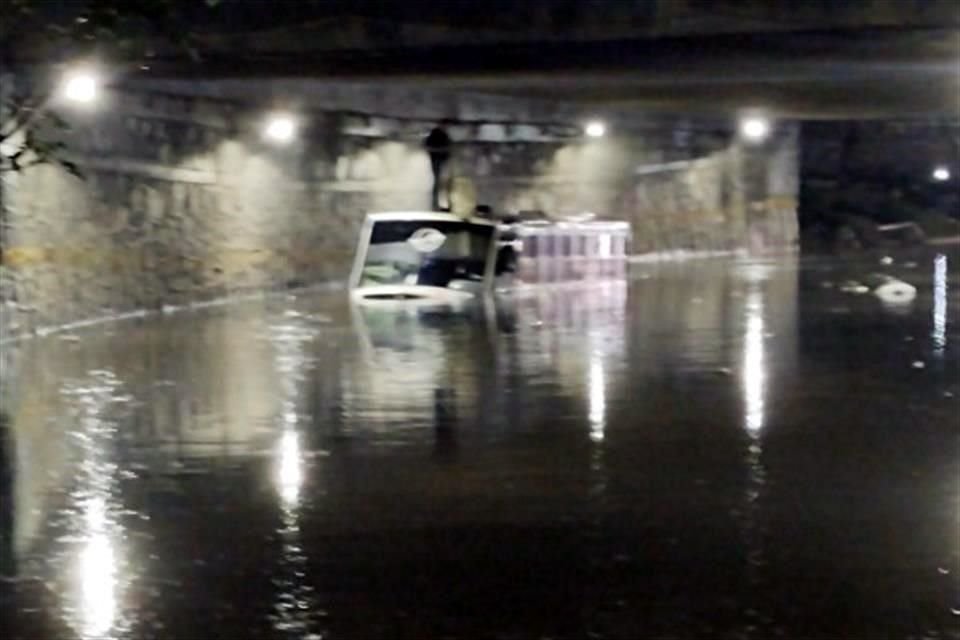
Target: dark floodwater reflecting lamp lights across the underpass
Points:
(716, 449)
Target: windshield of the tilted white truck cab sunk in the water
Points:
(426, 252)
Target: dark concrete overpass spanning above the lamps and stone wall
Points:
(798, 58)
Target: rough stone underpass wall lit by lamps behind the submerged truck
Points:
(184, 202)
